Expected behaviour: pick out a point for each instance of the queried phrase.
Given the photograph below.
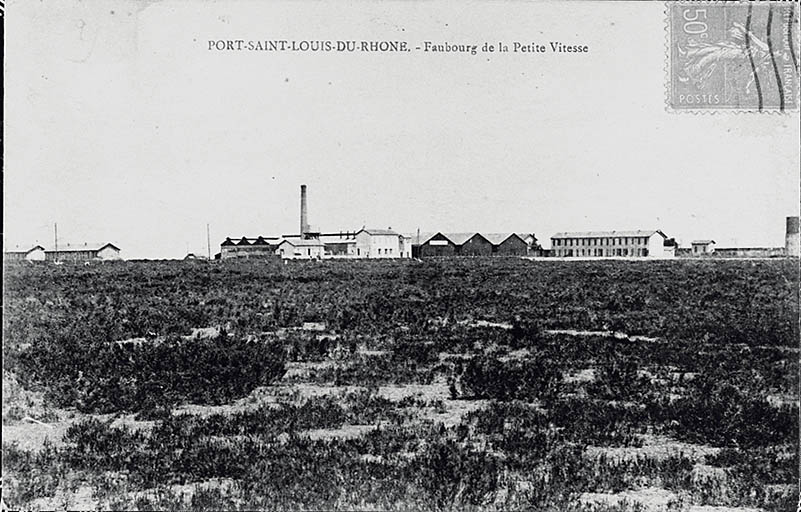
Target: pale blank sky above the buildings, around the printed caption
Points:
(122, 126)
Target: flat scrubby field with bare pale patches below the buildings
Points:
(467, 384)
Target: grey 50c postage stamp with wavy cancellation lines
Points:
(733, 56)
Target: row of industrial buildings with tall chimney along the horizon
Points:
(385, 243)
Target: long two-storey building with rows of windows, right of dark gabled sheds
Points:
(604, 244)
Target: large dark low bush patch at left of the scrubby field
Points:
(114, 378)
